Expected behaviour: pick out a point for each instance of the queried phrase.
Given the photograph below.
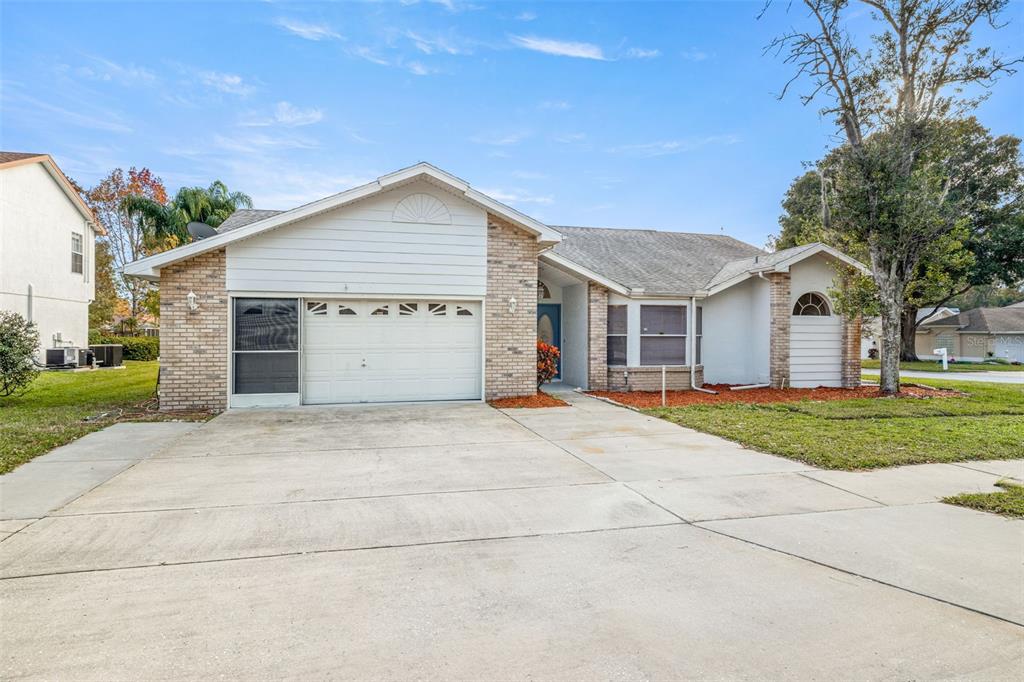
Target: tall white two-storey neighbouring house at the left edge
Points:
(48, 241)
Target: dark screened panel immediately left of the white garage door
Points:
(266, 345)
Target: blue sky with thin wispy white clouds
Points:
(626, 115)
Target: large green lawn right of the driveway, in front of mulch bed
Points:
(986, 424)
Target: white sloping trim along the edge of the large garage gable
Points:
(150, 268)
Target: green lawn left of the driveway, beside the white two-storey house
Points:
(52, 413)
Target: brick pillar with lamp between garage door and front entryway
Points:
(510, 336)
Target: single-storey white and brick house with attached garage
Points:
(418, 287)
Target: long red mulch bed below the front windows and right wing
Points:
(674, 399)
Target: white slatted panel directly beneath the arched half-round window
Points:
(816, 352)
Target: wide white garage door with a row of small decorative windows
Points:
(381, 352)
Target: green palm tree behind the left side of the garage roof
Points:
(210, 205)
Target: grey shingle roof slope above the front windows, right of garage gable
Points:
(651, 263)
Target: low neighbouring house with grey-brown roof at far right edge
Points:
(976, 335)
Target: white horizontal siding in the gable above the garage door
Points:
(361, 249)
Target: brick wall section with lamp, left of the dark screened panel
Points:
(194, 344)
